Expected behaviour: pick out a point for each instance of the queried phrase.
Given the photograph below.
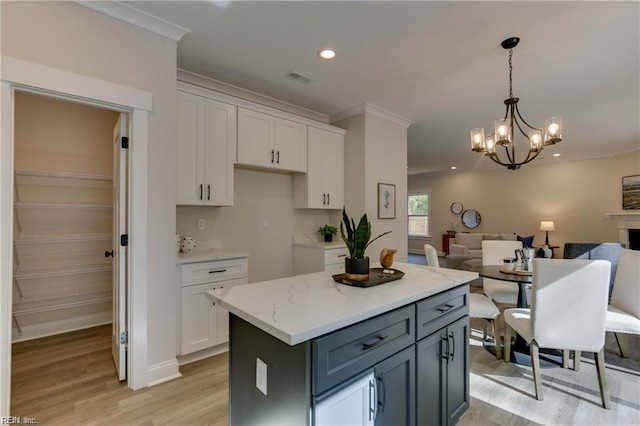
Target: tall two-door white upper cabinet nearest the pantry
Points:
(207, 138)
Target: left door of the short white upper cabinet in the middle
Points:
(256, 133)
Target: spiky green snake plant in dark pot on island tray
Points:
(357, 239)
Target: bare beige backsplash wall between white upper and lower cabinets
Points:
(257, 195)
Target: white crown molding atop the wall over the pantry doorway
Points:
(136, 17)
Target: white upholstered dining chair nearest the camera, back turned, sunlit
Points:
(568, 312)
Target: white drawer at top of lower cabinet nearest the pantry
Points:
(214, 271)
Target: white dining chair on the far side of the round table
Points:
(493, 251)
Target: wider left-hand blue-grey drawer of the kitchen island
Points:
(347, 352)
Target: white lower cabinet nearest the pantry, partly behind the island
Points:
(203, 323)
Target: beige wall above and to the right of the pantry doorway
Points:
(70, 37)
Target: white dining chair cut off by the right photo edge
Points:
(623, 315)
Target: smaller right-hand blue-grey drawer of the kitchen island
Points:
(440, 310)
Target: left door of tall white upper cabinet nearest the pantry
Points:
(191, 128)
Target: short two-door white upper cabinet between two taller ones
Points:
(266, 141)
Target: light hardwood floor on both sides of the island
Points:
(70, 379)
